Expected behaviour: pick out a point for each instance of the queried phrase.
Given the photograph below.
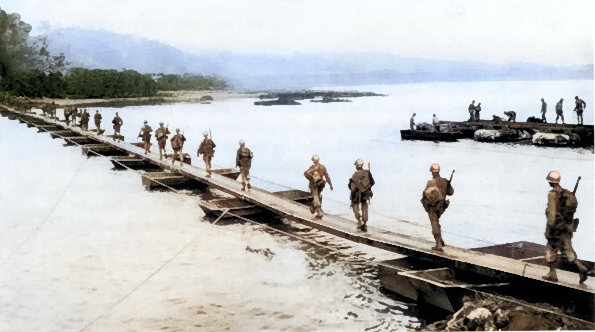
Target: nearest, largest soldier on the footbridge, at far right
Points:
(561, 205)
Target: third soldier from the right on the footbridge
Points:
(360, 185)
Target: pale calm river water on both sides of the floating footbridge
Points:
(87, 248)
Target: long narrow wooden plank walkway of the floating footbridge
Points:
(406, 244)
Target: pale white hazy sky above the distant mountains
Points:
(535, 31)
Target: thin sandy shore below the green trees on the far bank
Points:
(162, 96)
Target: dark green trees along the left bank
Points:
(27, 69)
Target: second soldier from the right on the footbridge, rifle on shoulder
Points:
(435, 202)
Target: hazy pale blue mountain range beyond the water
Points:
(106, 50)
